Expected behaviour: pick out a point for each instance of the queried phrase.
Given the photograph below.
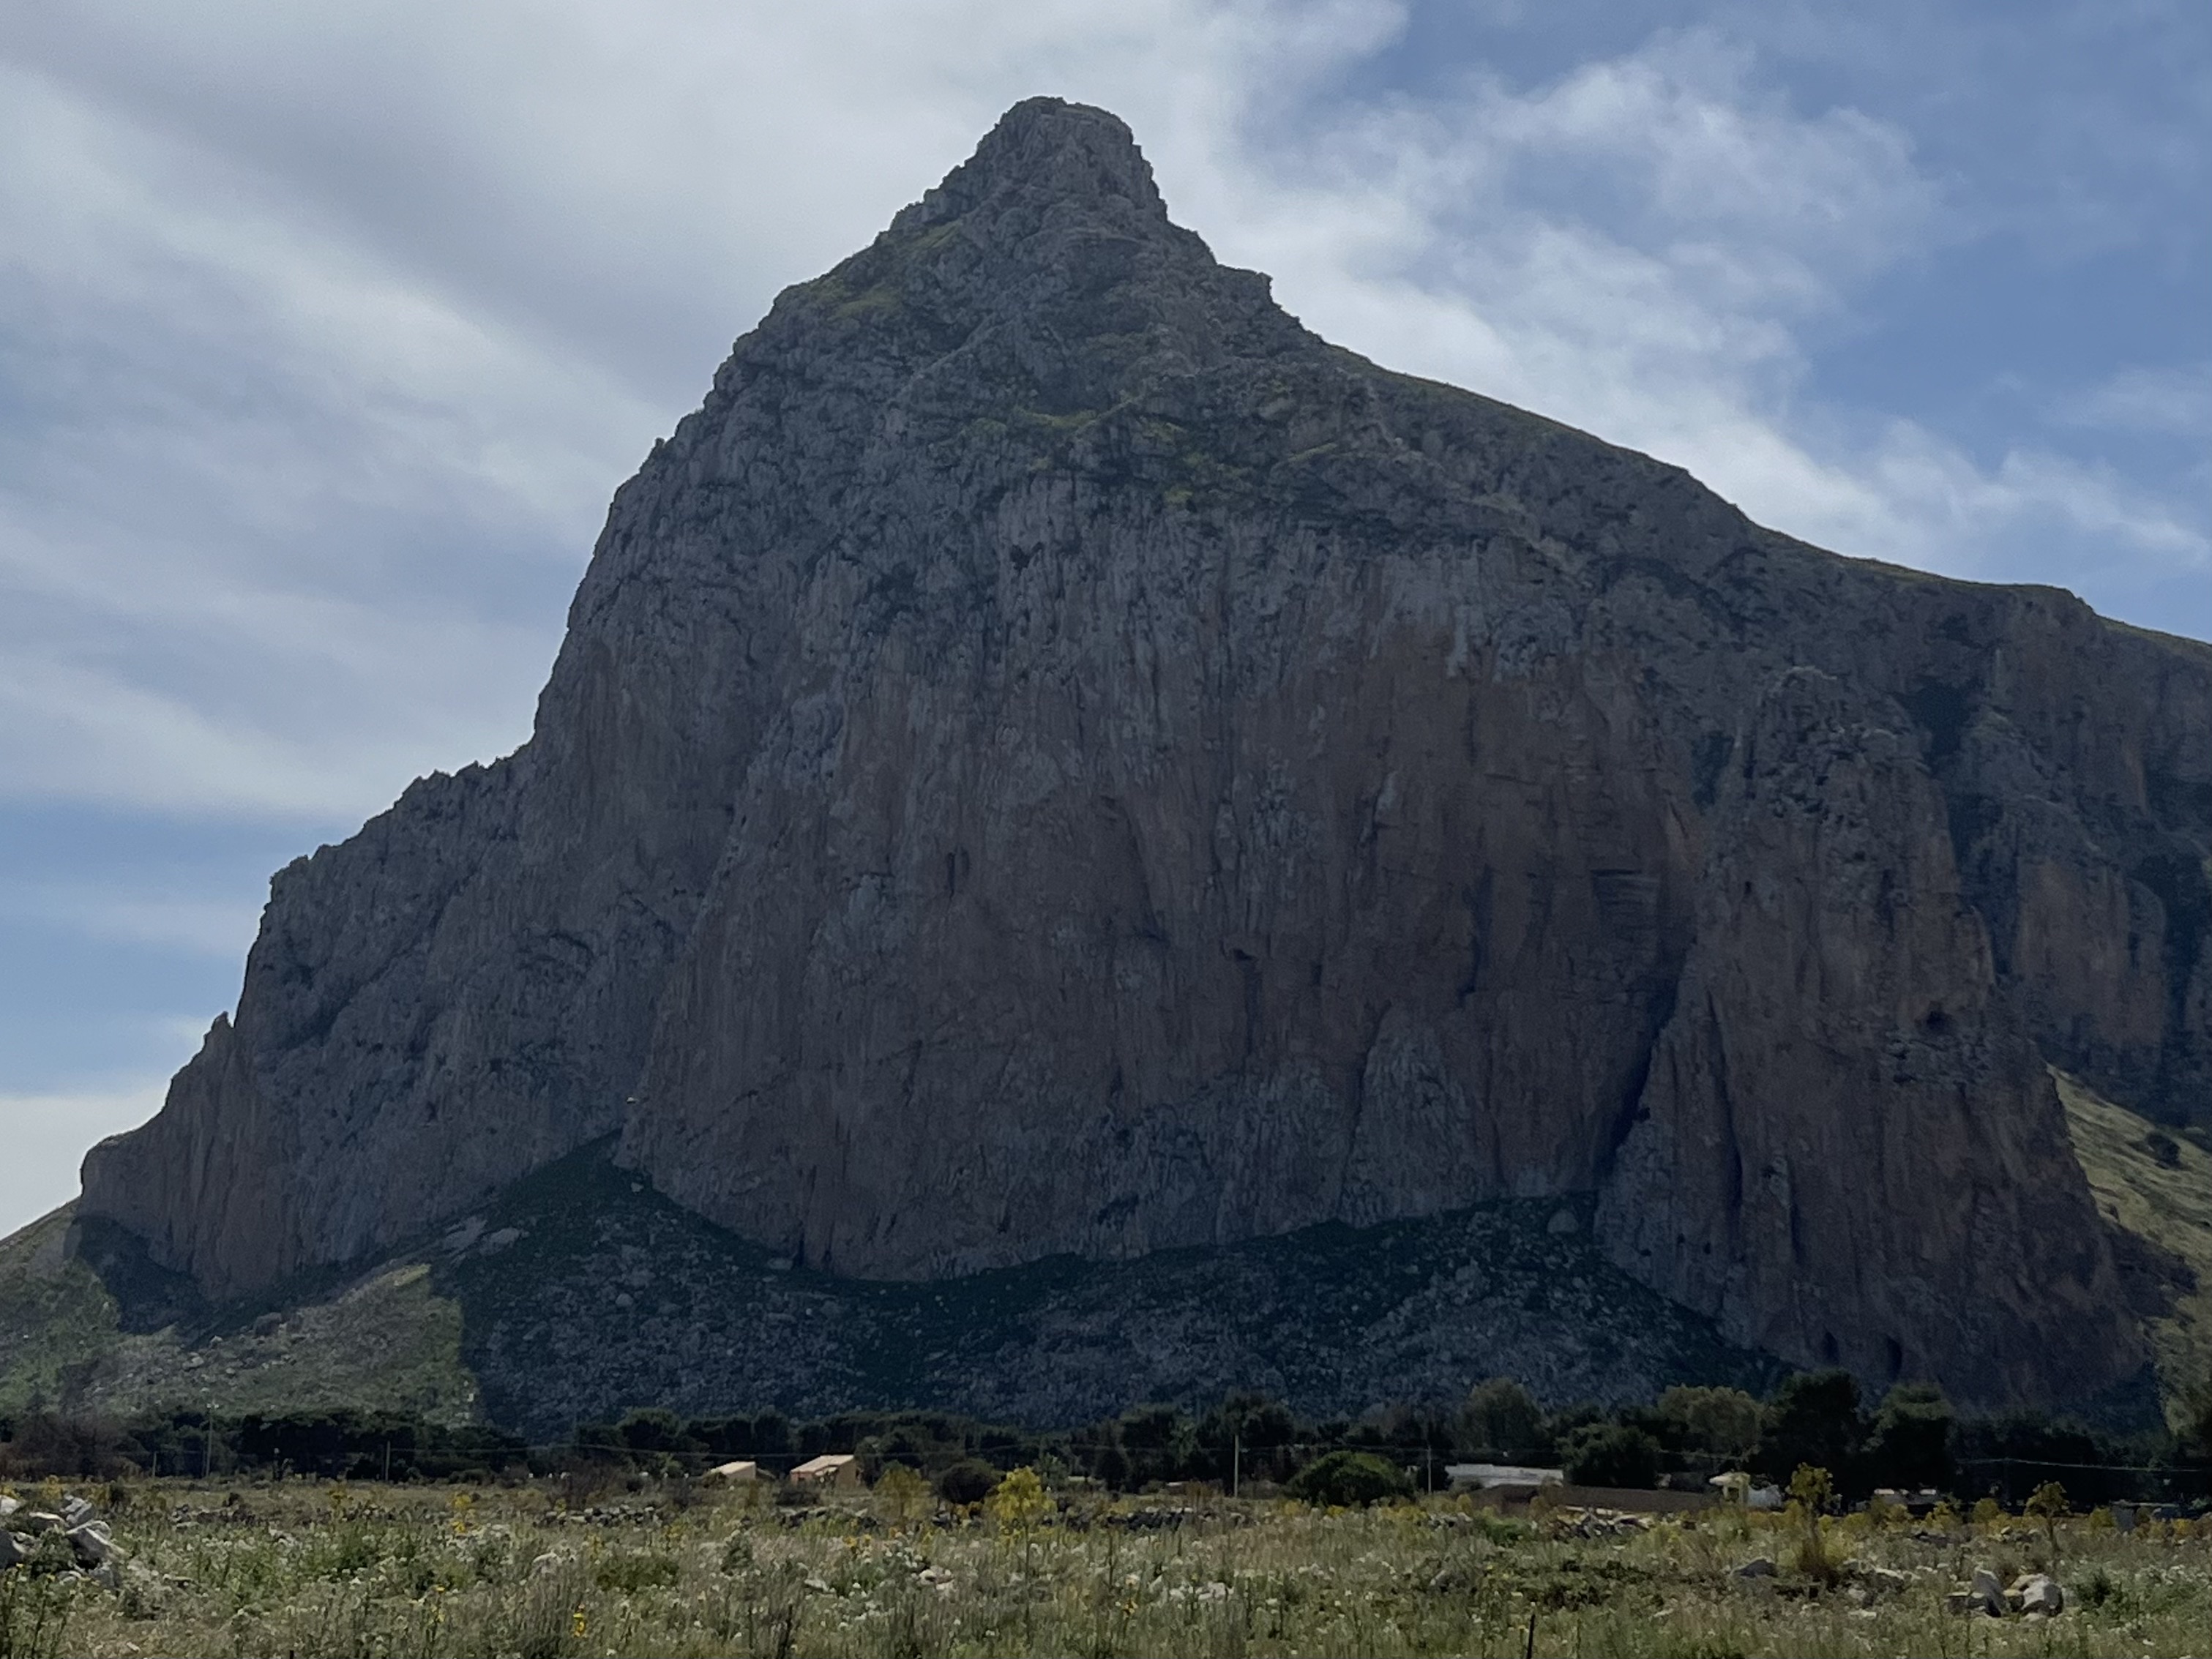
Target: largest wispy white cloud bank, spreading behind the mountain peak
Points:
(326, 331)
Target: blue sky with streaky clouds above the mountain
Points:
(328, 331)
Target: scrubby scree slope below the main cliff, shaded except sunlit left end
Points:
(583, 1293)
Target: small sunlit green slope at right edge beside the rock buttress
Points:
(2156, 1187)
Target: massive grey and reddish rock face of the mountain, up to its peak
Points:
(1054, 758)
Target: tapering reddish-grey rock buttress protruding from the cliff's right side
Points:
(1848, 1145)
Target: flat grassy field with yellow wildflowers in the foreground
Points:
(662, 1569)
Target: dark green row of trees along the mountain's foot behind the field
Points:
(1908, 1439)
